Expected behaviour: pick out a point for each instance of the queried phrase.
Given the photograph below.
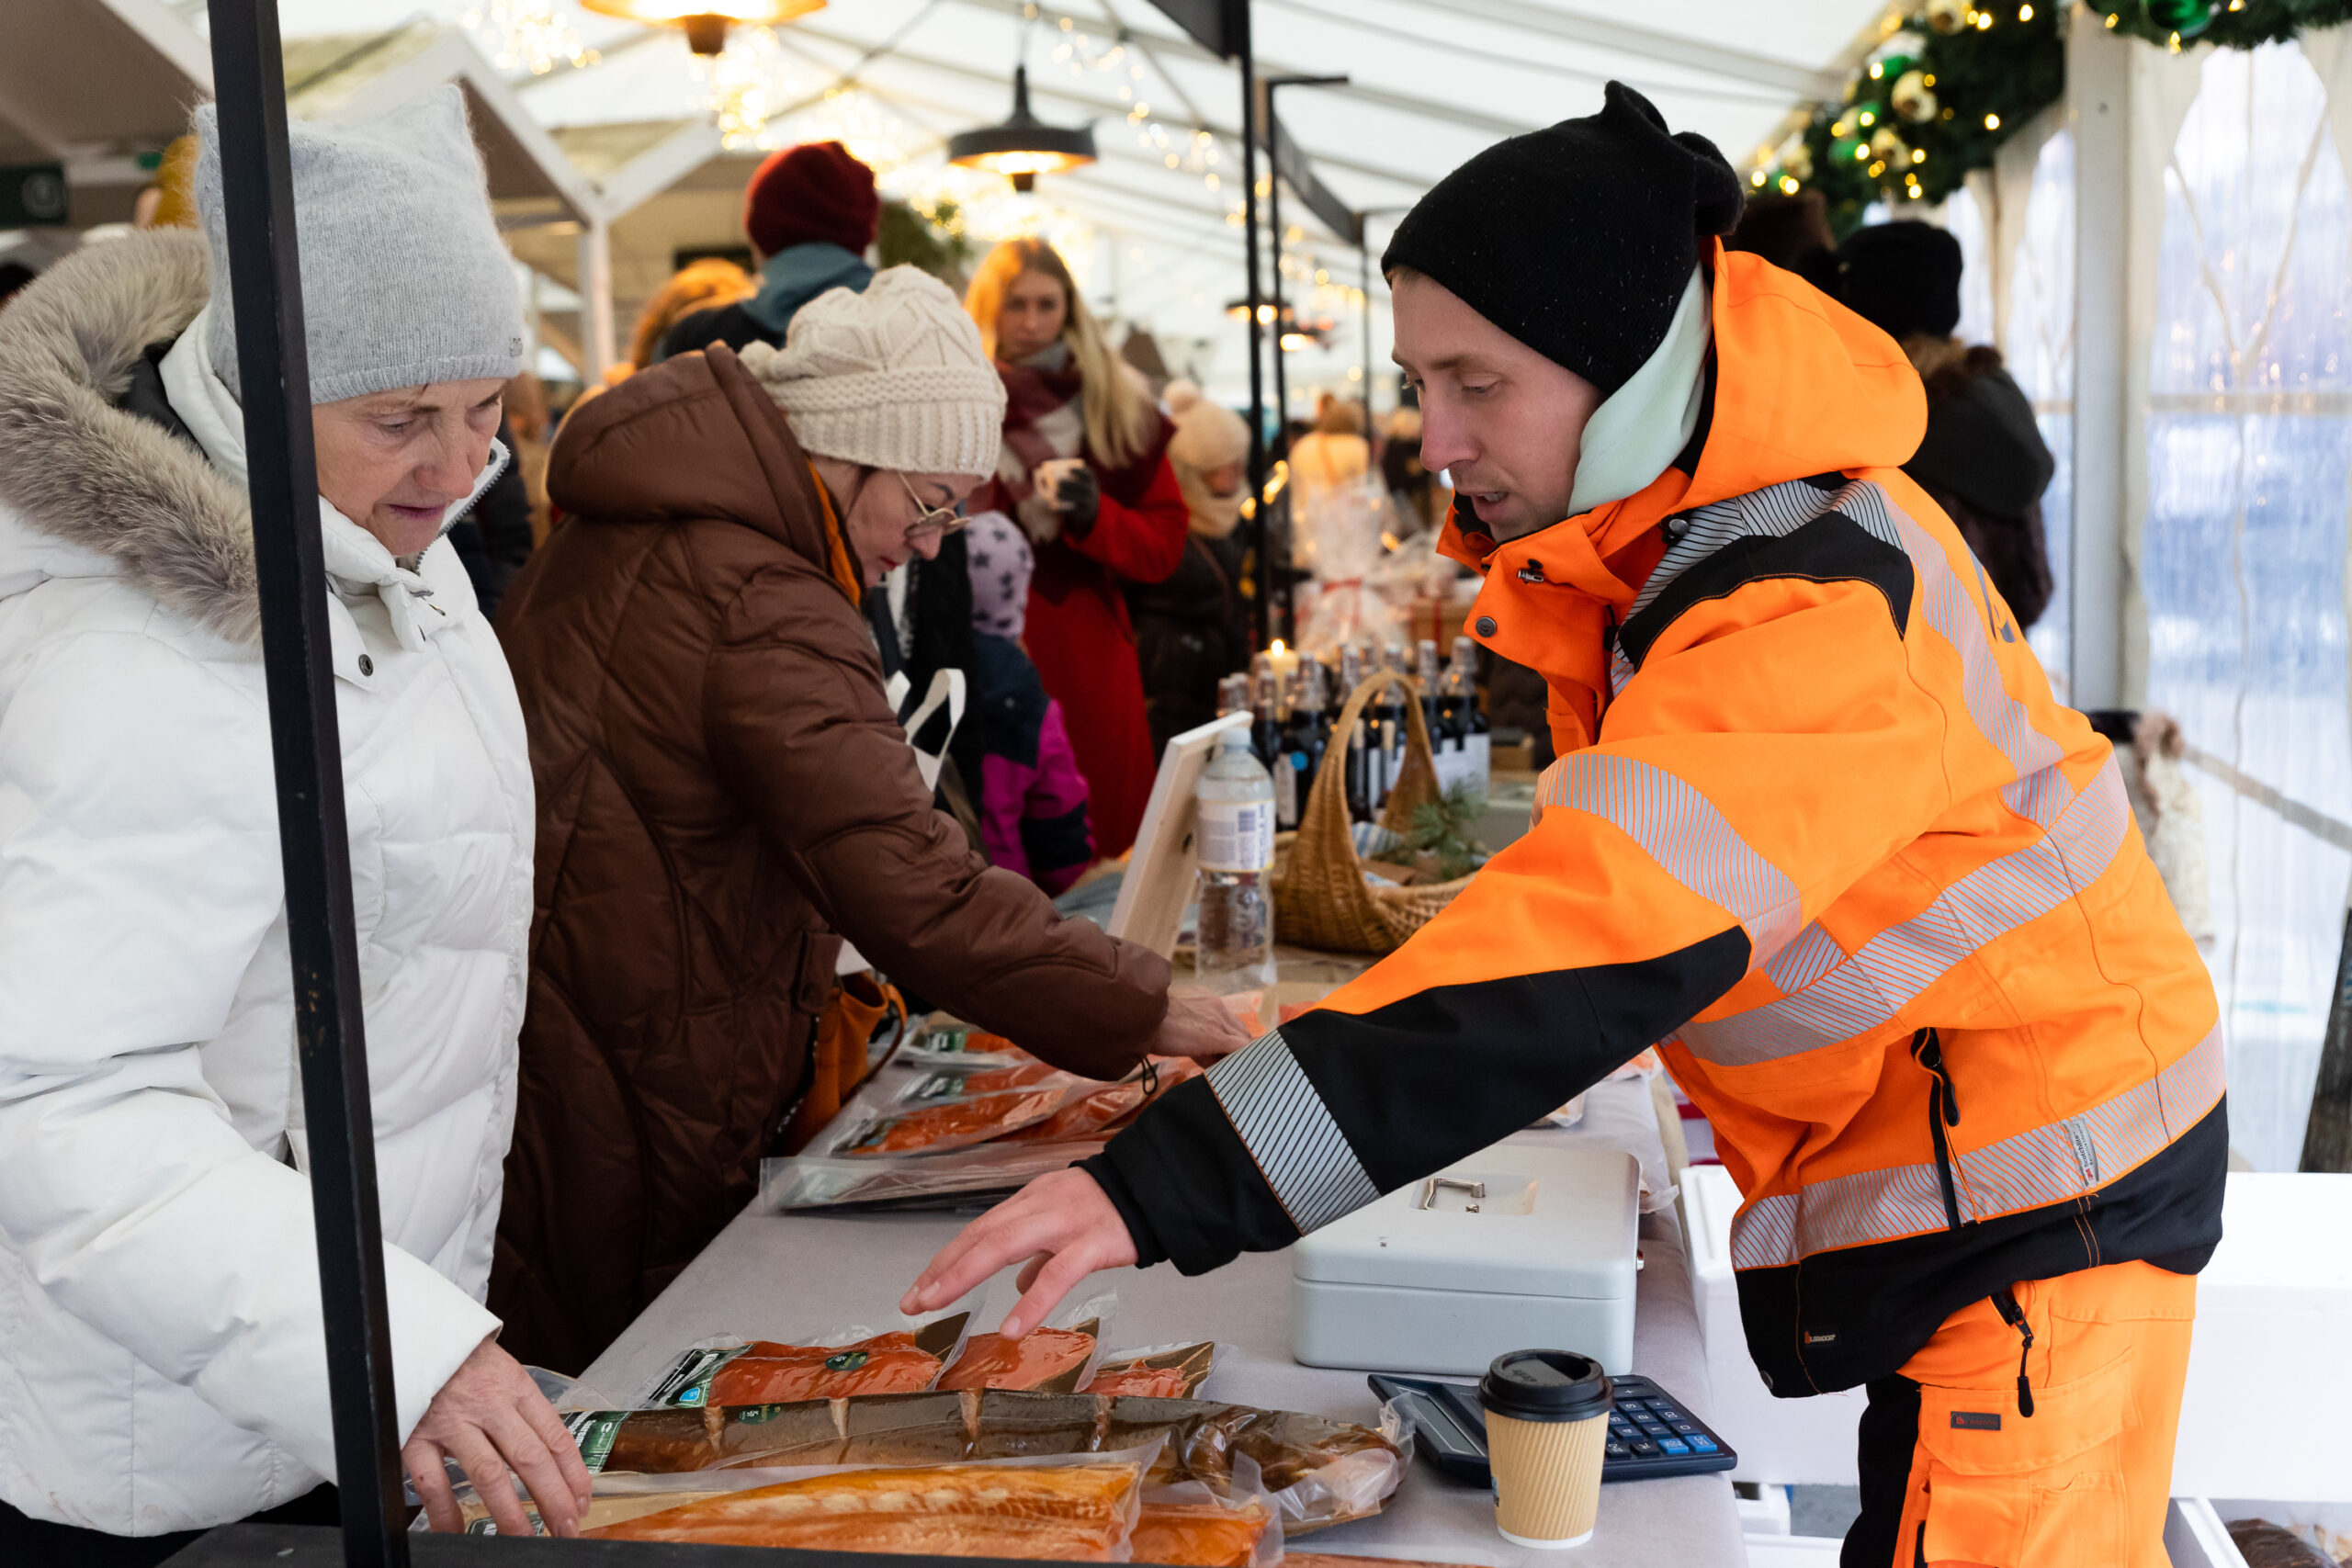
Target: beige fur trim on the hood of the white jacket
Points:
(93, 476)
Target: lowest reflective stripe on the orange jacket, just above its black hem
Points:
(2047, 1165)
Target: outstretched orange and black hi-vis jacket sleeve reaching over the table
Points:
(1789, 721)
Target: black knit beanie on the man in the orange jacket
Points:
(1579, 239)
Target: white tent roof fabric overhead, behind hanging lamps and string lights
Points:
(1154, 225)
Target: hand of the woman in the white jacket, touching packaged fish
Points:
(495, 1421)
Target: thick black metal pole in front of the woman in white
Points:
(265, 276)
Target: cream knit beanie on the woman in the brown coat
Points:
(893, 377)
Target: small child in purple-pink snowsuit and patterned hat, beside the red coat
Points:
(1034, 800)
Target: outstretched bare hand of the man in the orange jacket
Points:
(1062, 1224)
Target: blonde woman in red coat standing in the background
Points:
(1085, 474)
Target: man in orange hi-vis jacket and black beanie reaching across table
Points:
(1817, 829)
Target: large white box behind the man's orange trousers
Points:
(2269, 1355)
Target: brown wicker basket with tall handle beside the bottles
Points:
(1321, 890)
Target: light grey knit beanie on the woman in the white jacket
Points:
(403, 274)
